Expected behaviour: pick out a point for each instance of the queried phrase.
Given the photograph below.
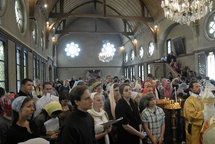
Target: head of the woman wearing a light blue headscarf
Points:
(22, 107)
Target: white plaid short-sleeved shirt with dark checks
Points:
(154, 121)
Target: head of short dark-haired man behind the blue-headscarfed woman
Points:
(27, 86)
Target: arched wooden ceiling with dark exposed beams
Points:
(125, 16)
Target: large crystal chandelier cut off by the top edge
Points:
(186, 11)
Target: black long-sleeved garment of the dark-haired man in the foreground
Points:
(78, 128)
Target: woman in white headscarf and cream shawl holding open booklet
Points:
(99, 116)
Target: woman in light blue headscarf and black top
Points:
(22, 128)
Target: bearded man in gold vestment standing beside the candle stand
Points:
(193, 113)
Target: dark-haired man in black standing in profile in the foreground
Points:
(78, 127)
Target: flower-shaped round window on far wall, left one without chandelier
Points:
(72, 49)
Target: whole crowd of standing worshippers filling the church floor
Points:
(78, 112)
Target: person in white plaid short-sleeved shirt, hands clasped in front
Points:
(153, 119)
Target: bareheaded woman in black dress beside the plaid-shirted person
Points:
(129, 128)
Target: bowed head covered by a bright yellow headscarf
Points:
(53, 109)
